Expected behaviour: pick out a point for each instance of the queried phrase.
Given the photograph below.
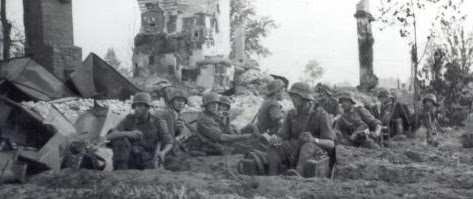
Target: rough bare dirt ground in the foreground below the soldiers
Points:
(407, 169)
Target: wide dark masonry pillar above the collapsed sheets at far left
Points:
(49, 36)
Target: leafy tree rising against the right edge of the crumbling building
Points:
(256, 27)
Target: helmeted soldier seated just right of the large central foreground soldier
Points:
(356, 123)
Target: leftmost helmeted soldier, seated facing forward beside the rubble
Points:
(137, 139)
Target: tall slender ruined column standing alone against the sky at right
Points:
(368, 79)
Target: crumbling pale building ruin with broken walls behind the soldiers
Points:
(185, 40)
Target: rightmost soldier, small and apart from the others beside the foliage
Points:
(429, 118)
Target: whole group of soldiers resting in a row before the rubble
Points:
(317, 123)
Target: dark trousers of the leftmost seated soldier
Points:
(128, 156)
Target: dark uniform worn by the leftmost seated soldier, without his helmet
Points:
(140, 153)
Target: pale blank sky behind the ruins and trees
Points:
(308, 29)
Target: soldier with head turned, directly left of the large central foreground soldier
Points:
(270, 113)
